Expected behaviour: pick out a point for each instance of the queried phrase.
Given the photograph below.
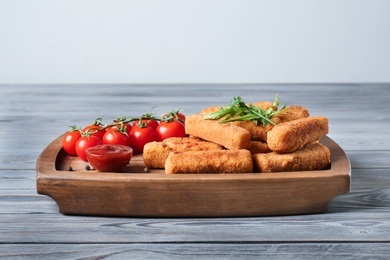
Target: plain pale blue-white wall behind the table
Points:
(194, 41)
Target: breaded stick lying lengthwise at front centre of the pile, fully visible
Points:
(213, 161)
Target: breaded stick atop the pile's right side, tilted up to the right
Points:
(293, 135)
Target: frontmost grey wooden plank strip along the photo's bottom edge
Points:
(194, 250)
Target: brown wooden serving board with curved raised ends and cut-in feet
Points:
(156, 194)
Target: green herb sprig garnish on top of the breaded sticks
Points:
(238, 110)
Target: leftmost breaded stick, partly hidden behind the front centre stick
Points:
(155, 153)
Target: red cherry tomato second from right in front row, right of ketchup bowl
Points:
(139, 136)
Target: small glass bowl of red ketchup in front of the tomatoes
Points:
(109, 157)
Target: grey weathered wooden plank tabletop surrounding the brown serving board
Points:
(356, 225)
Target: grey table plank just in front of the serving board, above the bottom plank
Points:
(358, 226)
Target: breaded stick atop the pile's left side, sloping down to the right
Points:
(228, 135)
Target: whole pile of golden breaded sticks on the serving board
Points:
(291, 143)
